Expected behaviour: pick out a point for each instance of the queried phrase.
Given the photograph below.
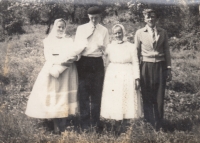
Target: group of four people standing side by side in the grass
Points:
(61, 89)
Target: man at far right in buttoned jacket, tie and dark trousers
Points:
(155, 67)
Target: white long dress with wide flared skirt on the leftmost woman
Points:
(54, 97)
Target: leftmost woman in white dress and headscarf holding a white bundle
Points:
(55, 96)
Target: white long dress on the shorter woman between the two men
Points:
(120, 99)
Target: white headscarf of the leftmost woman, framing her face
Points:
(53, 32)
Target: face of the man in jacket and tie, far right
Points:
(150, 19)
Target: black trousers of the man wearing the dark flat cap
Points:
(91, 76)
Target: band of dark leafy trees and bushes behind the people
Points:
(174, 16)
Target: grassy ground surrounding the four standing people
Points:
(21, 58)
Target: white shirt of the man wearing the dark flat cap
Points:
(100, 37)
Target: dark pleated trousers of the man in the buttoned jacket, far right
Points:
(153, 82)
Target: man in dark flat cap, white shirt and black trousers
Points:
(93, 38)
